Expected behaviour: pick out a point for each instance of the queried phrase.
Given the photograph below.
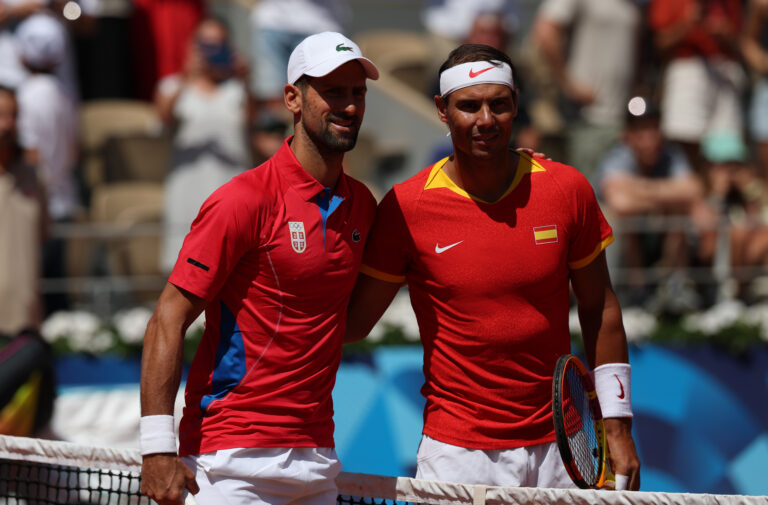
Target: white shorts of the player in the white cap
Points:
(274, 476)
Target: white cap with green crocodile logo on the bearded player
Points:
(322, 53)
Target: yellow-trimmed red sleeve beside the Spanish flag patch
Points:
(591, 232)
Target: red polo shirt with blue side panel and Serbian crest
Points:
(264, 371)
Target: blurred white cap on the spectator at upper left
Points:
(41, 41)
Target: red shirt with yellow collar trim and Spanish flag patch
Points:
(489, 284)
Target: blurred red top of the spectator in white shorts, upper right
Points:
(665, 14)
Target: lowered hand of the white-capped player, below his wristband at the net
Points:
(164, 478)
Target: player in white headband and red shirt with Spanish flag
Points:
(488, 241)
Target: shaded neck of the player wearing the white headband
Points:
(486, 179)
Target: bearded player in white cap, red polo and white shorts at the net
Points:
(272, 258)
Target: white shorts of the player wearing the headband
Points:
(533, 466)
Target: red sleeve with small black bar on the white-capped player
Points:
(223, 231)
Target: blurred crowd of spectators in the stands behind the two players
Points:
(662, 104)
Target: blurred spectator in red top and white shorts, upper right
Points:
(702, 78)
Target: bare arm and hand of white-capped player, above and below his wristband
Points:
(164, 475)
